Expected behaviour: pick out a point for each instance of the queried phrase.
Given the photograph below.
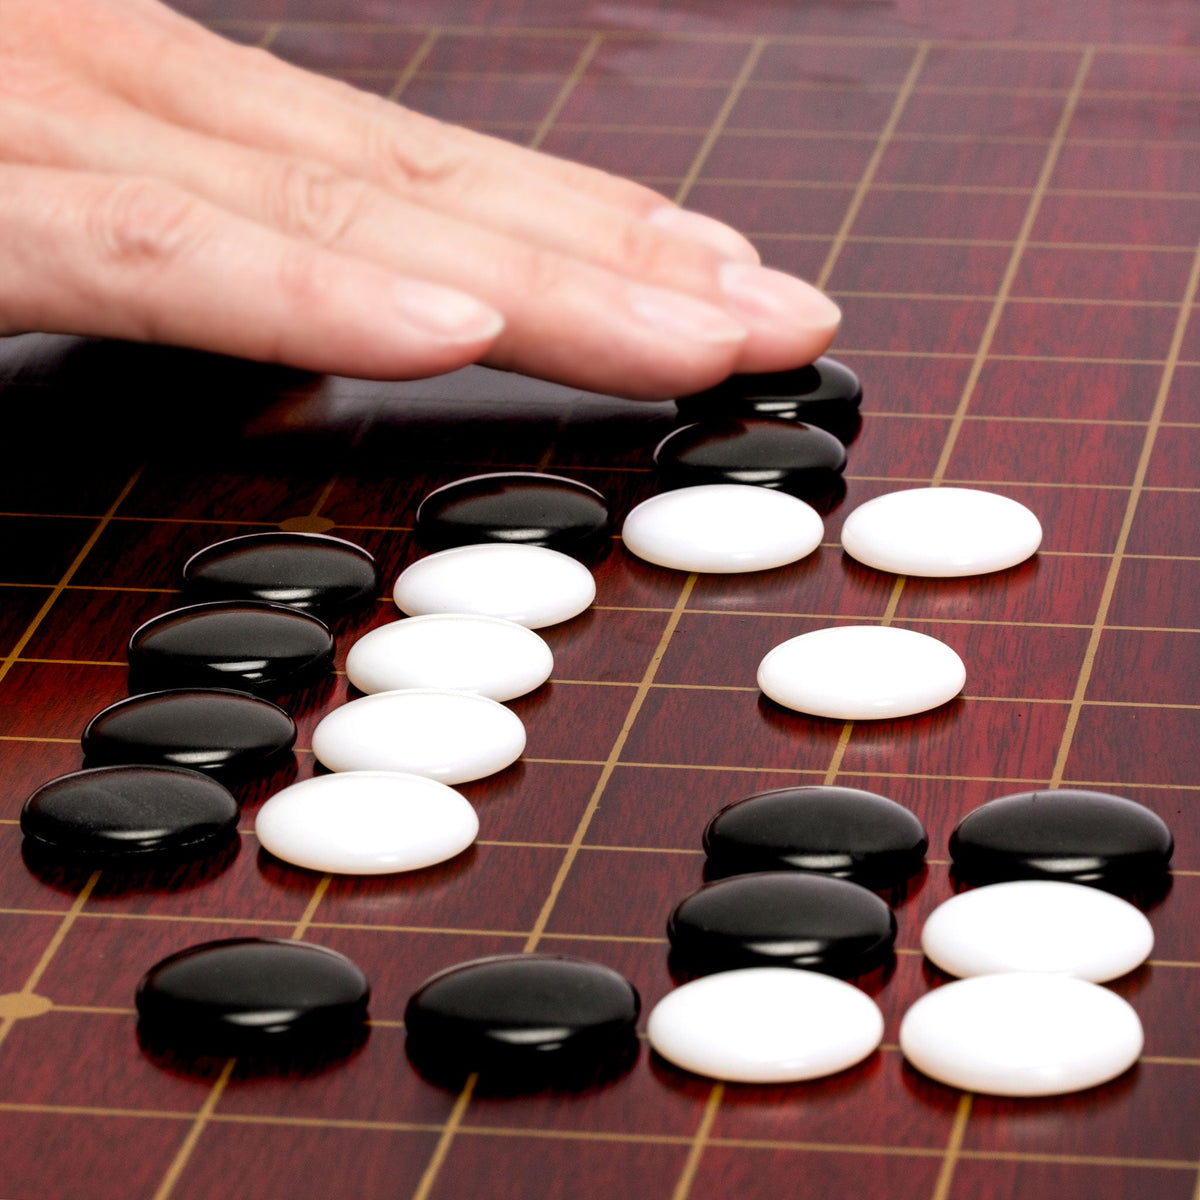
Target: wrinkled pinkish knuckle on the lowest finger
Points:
(143, 224)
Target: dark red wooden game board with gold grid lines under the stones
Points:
(1009, 217)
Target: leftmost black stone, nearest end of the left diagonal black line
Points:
(113, 815)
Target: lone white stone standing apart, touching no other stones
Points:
(856, 673)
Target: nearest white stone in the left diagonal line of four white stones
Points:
(367, 823)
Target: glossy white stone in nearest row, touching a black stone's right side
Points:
(766, 1025)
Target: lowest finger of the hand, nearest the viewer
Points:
(145, 261)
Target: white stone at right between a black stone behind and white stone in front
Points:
(1039, 926)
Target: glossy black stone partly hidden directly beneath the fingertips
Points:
(826, 394)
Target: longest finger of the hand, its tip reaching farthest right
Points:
(279, 109)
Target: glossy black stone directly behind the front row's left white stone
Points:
(784, 920)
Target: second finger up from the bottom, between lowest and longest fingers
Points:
(566, 320)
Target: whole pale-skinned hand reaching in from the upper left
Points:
(161, 184)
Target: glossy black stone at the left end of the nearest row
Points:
(251, 994)
